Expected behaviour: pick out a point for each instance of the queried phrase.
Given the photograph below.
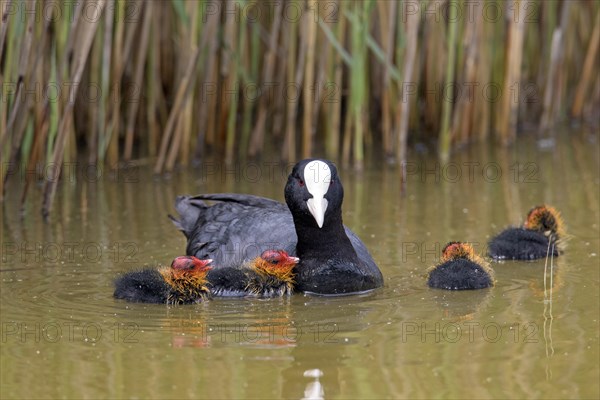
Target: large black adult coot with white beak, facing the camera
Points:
(333, 260)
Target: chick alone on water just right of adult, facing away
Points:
(460, 269)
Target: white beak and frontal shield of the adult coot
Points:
(317, 176)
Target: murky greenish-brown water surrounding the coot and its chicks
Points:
(64, 336)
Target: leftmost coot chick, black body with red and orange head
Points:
(184, 282)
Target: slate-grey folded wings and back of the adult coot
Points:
(238, 228)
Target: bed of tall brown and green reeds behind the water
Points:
(170, 81)
